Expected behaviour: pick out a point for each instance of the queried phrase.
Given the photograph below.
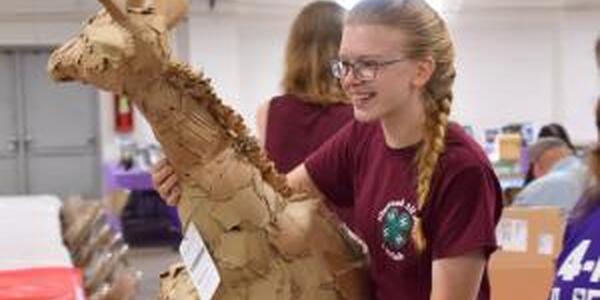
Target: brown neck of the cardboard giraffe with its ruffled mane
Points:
(194, 126)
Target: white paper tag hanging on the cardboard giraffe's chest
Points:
(199, 264)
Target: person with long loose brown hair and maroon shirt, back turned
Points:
(313, 106)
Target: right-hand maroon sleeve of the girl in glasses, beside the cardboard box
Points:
(467, 213)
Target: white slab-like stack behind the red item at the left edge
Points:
(30, 233)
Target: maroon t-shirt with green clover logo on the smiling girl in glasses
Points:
(460, 216)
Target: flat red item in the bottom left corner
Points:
(41, 284)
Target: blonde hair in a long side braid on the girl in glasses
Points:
(427, 36)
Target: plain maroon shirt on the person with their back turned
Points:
(296, 128)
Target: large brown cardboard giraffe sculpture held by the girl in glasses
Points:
(267, 242)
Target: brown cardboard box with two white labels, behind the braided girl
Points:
(530, 238)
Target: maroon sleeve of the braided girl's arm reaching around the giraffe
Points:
(331, 167)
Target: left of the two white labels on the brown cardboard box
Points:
(512, 235)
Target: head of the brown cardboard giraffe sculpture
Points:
(123, 47)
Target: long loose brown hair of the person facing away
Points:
(313, 42)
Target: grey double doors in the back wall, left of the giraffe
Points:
(57, 131)
